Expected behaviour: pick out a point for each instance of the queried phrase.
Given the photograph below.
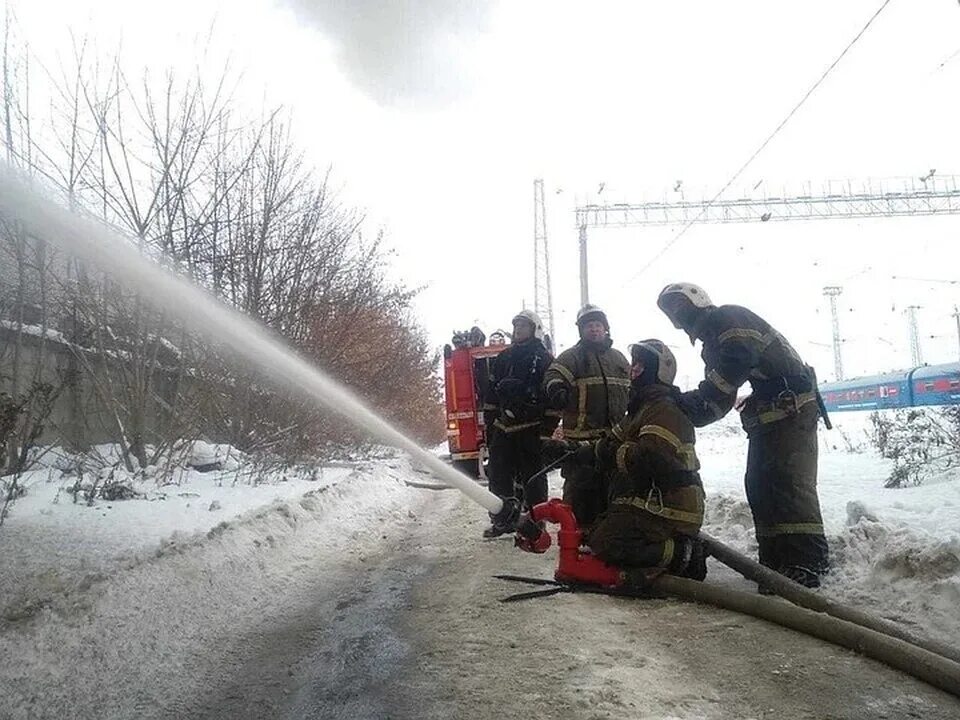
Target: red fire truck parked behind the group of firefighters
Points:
(466, 371)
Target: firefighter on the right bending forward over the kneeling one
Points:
(779, 417)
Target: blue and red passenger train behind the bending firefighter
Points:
(920, 386)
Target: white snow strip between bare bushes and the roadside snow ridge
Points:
(52, 545)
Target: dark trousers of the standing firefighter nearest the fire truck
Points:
(514, 458)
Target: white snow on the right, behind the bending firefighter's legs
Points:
(896, 552)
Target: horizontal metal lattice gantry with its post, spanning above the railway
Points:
(930, 195)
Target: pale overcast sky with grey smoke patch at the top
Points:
(437, 116)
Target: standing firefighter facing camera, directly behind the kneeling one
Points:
(588, 385)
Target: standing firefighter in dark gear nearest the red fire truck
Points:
(514, 416)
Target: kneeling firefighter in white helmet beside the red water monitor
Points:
(656, 499)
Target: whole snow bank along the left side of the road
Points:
(165, 606)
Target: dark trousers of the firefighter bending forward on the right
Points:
(781, 485)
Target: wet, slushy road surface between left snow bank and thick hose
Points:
(417, 632)
